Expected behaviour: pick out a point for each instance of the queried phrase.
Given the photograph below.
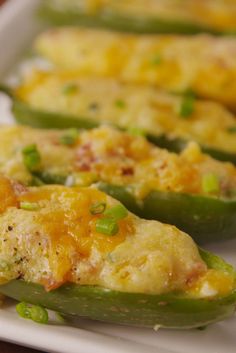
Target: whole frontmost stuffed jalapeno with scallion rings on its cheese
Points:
(80, 252)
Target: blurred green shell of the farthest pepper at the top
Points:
(120, 21)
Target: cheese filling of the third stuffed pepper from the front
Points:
(127, 105)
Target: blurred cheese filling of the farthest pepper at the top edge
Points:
(217, 14)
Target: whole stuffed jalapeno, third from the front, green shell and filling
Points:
(62, 100)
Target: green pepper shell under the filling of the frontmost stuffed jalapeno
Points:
(171, 310)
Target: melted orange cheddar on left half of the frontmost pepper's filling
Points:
(66, 224)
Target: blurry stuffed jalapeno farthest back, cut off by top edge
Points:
(145, 16)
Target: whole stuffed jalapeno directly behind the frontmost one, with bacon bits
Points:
(190, 190)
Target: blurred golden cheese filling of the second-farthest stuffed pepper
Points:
(203, 63)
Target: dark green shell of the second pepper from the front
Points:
(205, 219)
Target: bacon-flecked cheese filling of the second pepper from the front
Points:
(106, 154)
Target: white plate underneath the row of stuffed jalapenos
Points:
(17, 25)
